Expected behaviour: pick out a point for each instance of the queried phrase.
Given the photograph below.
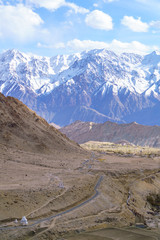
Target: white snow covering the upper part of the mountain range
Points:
(99, 66)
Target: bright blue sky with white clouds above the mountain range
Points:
(51, 27)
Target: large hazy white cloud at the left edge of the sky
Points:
(19, 23)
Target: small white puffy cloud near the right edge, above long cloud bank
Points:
(136, 25)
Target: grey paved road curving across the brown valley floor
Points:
(58, 214)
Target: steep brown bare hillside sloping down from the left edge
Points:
(23, 129)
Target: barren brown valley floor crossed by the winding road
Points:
(40, 186)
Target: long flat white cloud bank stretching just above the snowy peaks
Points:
(77, 45)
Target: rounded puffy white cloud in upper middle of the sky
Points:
(99, 20)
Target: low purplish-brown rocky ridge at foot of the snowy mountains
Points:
(112, 132)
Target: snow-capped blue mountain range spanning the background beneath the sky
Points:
(95, 85)
